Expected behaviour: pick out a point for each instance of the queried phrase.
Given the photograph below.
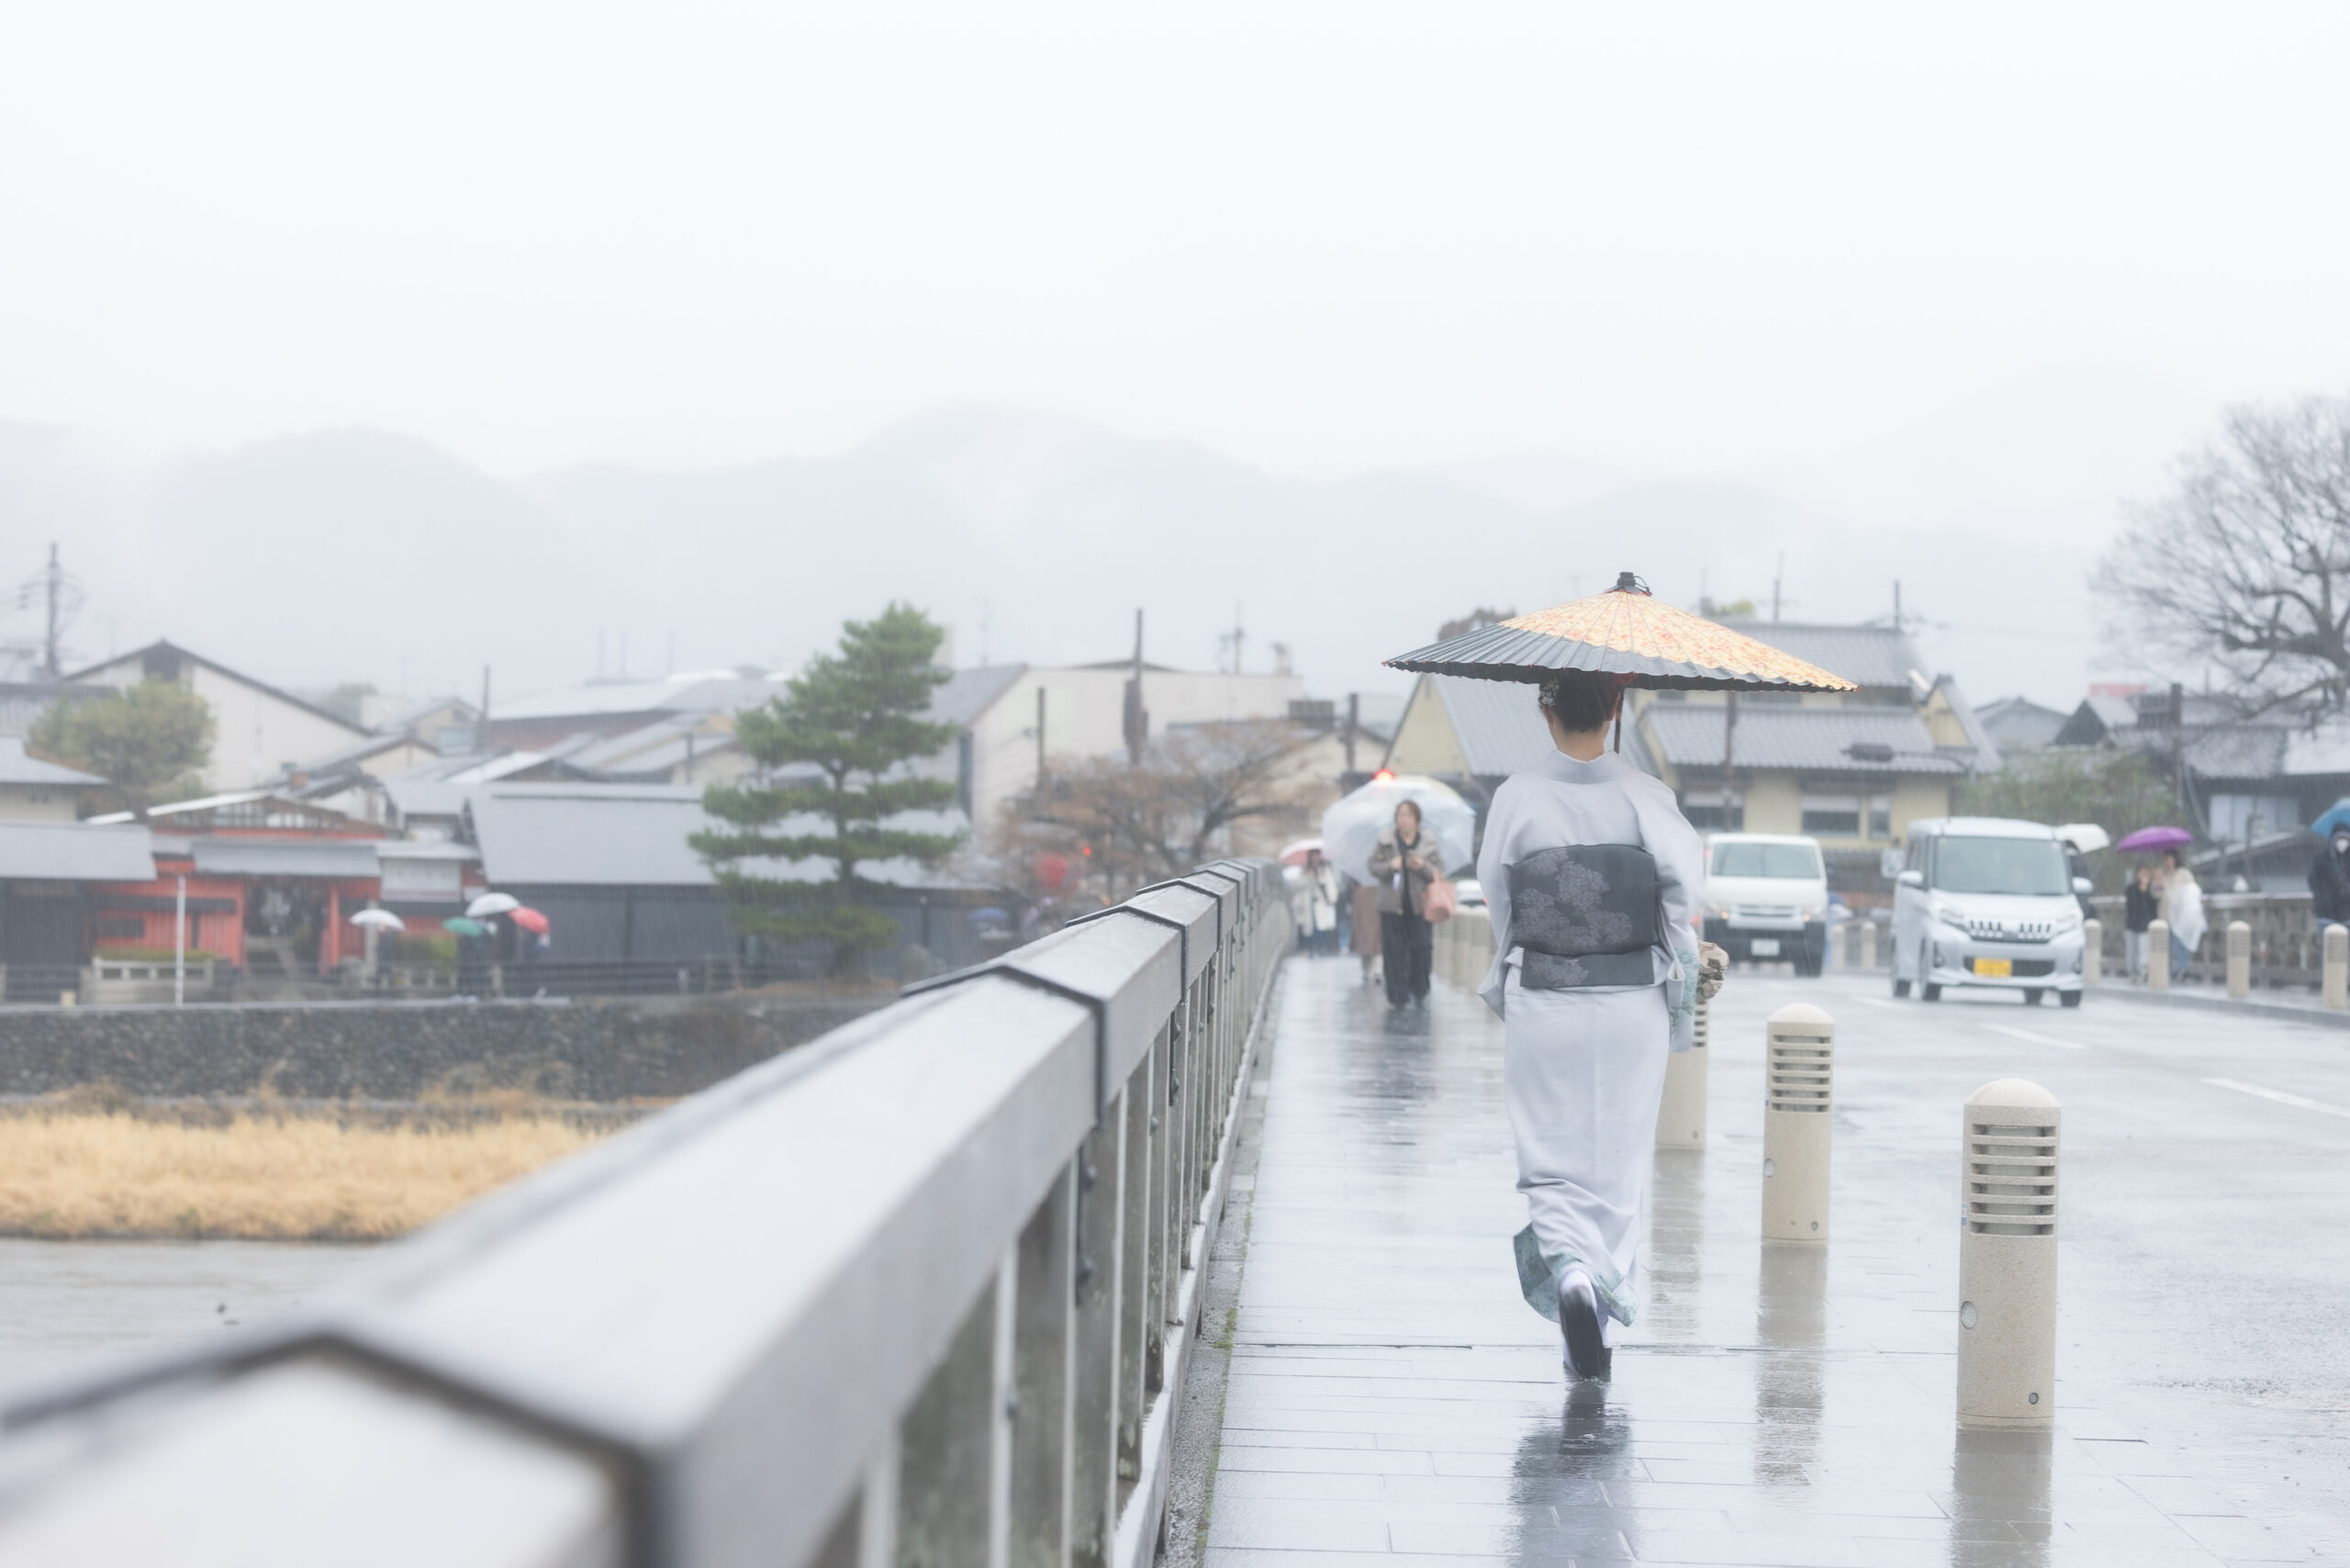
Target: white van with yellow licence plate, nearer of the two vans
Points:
(1987, 902)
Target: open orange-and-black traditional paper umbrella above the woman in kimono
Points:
(1627, 634)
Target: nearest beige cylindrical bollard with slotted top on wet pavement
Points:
(2008, 1259)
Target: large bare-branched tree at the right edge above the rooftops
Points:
(2245, 565)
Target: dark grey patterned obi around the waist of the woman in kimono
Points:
(1585, 916)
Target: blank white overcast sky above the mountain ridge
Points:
(1320, 236)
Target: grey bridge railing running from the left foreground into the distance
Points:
(920, 1292)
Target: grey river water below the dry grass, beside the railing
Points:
(69, 1306)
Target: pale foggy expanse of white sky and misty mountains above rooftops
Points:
(365, 349)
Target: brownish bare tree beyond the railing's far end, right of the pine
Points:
(1139, 824)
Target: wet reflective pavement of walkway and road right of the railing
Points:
(1392, 1395)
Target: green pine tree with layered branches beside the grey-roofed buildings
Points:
(833, 760)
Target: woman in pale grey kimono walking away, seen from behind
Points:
(1594, 883)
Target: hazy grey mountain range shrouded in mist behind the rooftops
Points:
(370, 556)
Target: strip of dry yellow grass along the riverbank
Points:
(93, 1170)
